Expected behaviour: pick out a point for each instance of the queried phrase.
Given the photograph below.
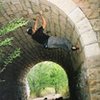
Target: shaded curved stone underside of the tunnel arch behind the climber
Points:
(59, 24)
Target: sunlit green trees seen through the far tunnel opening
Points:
(45, 76)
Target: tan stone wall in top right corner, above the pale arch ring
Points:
(91, 9)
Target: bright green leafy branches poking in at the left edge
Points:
(11, 26)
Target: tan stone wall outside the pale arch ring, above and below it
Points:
(91, 9)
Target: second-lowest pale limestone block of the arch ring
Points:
(88, 38)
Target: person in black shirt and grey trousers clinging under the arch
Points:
(46, 40)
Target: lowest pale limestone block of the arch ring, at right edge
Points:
(92, 50)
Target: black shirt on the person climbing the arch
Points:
(40, 36)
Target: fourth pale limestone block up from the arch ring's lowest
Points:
(76, 15)
